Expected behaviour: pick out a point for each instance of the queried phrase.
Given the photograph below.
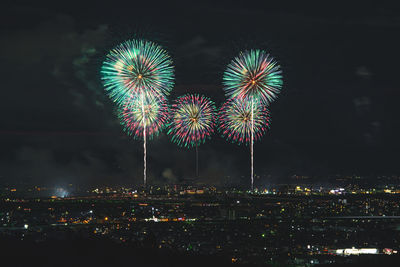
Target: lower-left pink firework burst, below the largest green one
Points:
(143, 115)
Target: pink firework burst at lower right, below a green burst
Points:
(235, 120)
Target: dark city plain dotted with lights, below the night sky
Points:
(200, 230)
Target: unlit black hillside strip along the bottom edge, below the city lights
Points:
(101, 253)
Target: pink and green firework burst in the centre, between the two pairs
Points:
(193, 118)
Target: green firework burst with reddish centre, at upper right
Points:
(253, 75)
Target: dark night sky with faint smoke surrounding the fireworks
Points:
(338, 111)
